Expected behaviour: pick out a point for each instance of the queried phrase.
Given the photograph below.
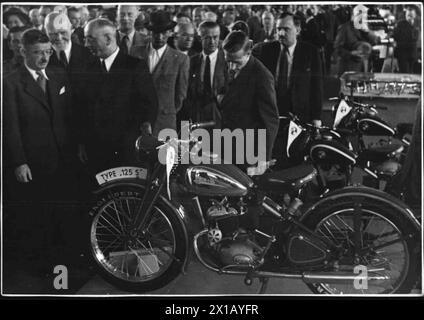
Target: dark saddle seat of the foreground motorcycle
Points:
(287, 180)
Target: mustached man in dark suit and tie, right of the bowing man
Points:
(297, 71)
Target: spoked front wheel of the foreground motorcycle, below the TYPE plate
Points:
(136, 259)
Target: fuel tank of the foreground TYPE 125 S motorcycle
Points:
(217, 180)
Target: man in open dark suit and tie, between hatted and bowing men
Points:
(207, 78)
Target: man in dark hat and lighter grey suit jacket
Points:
(169, 69)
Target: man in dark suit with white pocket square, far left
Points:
(37, 144)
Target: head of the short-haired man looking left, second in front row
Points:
(100, 37)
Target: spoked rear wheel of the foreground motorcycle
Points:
(374, 242)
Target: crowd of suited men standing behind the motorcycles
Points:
(80, 83)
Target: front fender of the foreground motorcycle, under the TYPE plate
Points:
(175, 207)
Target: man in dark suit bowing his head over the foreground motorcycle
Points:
(250, 102)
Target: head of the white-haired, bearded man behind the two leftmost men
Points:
(58, 28)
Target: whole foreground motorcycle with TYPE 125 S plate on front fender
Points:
(146, 219)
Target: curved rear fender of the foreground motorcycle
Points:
(365, 192)
